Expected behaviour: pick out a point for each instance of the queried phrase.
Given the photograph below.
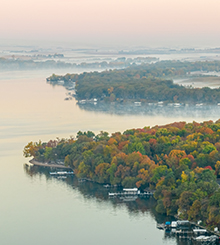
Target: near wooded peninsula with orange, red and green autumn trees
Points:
(179, 162)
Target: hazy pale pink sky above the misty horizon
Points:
(113, 22)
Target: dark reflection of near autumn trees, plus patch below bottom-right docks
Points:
(93, 191)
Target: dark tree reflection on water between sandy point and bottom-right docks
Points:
(91, 190)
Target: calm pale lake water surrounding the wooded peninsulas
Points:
(37, 209)
